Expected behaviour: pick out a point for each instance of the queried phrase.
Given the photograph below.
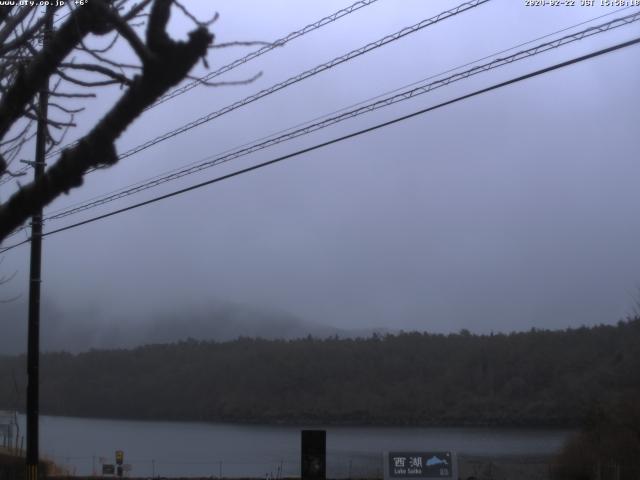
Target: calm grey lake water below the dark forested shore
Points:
(209, 449)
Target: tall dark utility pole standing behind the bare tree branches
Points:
(33, 346)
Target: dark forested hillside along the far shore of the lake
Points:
(537, 378)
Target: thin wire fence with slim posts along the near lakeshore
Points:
(340, 465)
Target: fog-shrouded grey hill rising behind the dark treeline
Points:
(76, 330)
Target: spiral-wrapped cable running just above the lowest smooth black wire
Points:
(406, 95)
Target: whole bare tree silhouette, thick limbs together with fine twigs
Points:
(27, 65)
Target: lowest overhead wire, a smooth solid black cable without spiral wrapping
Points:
(344, 137)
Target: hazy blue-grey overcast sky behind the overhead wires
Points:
(515, 209)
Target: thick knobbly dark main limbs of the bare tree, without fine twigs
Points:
(166, 64)
